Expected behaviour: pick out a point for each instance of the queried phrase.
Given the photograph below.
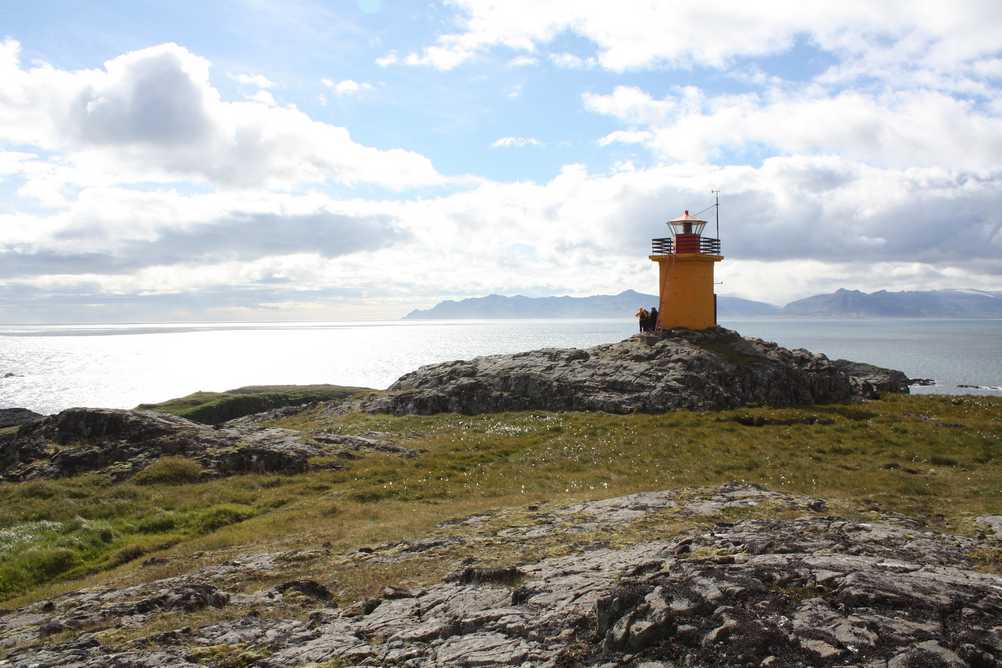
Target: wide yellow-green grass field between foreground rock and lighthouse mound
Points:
(938, 459)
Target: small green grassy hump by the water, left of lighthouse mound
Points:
(213, 408)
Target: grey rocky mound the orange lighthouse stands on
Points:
(712, 370)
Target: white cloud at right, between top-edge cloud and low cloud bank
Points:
(901, 130)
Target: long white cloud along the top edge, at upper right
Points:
(647, 34)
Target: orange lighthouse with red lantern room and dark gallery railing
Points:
(686, 275)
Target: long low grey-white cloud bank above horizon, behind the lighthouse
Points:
(791, 228)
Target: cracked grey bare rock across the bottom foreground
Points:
(797, 588)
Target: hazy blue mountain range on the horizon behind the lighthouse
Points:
(841, 304)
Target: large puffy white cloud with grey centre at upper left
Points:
(154, 116)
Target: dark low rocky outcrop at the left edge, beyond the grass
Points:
(123, 443)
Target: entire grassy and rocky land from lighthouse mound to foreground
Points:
(678, 575)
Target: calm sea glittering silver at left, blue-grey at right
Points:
(58, 367)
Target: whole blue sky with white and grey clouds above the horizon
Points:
(307, 161)
